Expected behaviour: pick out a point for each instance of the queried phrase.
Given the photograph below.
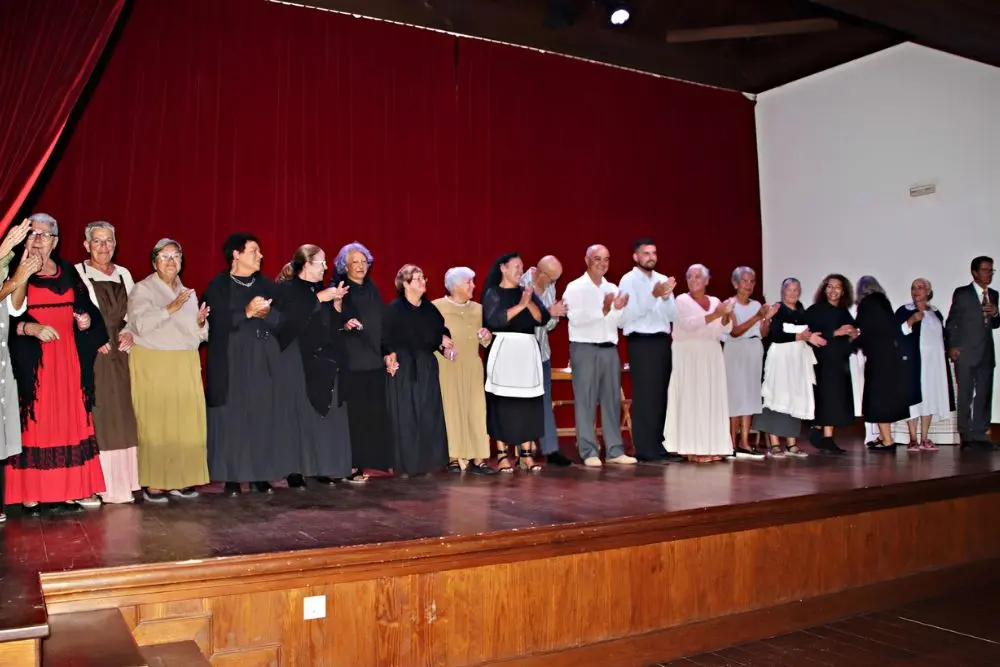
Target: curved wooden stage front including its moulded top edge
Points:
(623, 592)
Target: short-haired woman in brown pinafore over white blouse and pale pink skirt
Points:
(114, 421)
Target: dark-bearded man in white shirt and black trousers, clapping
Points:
(646, 324)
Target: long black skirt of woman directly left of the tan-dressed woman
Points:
(417, 415)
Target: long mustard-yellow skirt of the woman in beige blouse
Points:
(170, 416)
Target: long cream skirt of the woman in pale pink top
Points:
(698, 401)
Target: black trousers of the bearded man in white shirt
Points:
(650, 362)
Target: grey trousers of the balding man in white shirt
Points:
(597, 379)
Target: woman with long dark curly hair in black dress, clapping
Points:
(830, 318)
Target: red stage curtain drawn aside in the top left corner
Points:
(48, 49)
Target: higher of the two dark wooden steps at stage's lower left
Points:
(90, 639)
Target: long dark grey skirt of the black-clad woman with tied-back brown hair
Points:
(323, 442)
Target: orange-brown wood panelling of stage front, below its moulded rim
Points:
(474, 614)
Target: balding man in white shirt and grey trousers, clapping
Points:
(594, 307)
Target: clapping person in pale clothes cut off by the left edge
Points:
(10, 433)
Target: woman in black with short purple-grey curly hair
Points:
(362, 374)
